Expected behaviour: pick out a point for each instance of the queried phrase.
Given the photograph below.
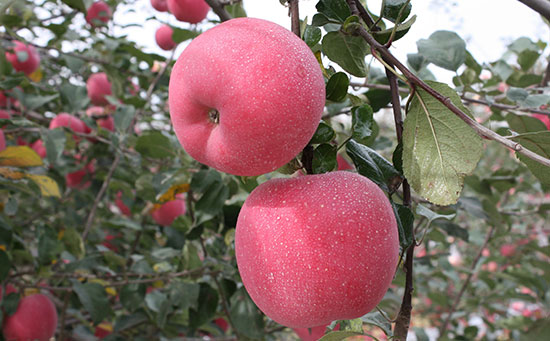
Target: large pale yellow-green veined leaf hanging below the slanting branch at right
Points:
(439, 149)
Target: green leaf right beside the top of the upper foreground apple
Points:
(347, 51)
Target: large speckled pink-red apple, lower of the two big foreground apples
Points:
(317, 248)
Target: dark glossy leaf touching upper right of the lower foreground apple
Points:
(372, 165)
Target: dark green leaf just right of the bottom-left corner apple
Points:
(94, 299)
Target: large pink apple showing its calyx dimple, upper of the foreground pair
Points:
(245, 107)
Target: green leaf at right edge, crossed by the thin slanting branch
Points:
(537, 142)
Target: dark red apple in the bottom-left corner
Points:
(35, 319)
